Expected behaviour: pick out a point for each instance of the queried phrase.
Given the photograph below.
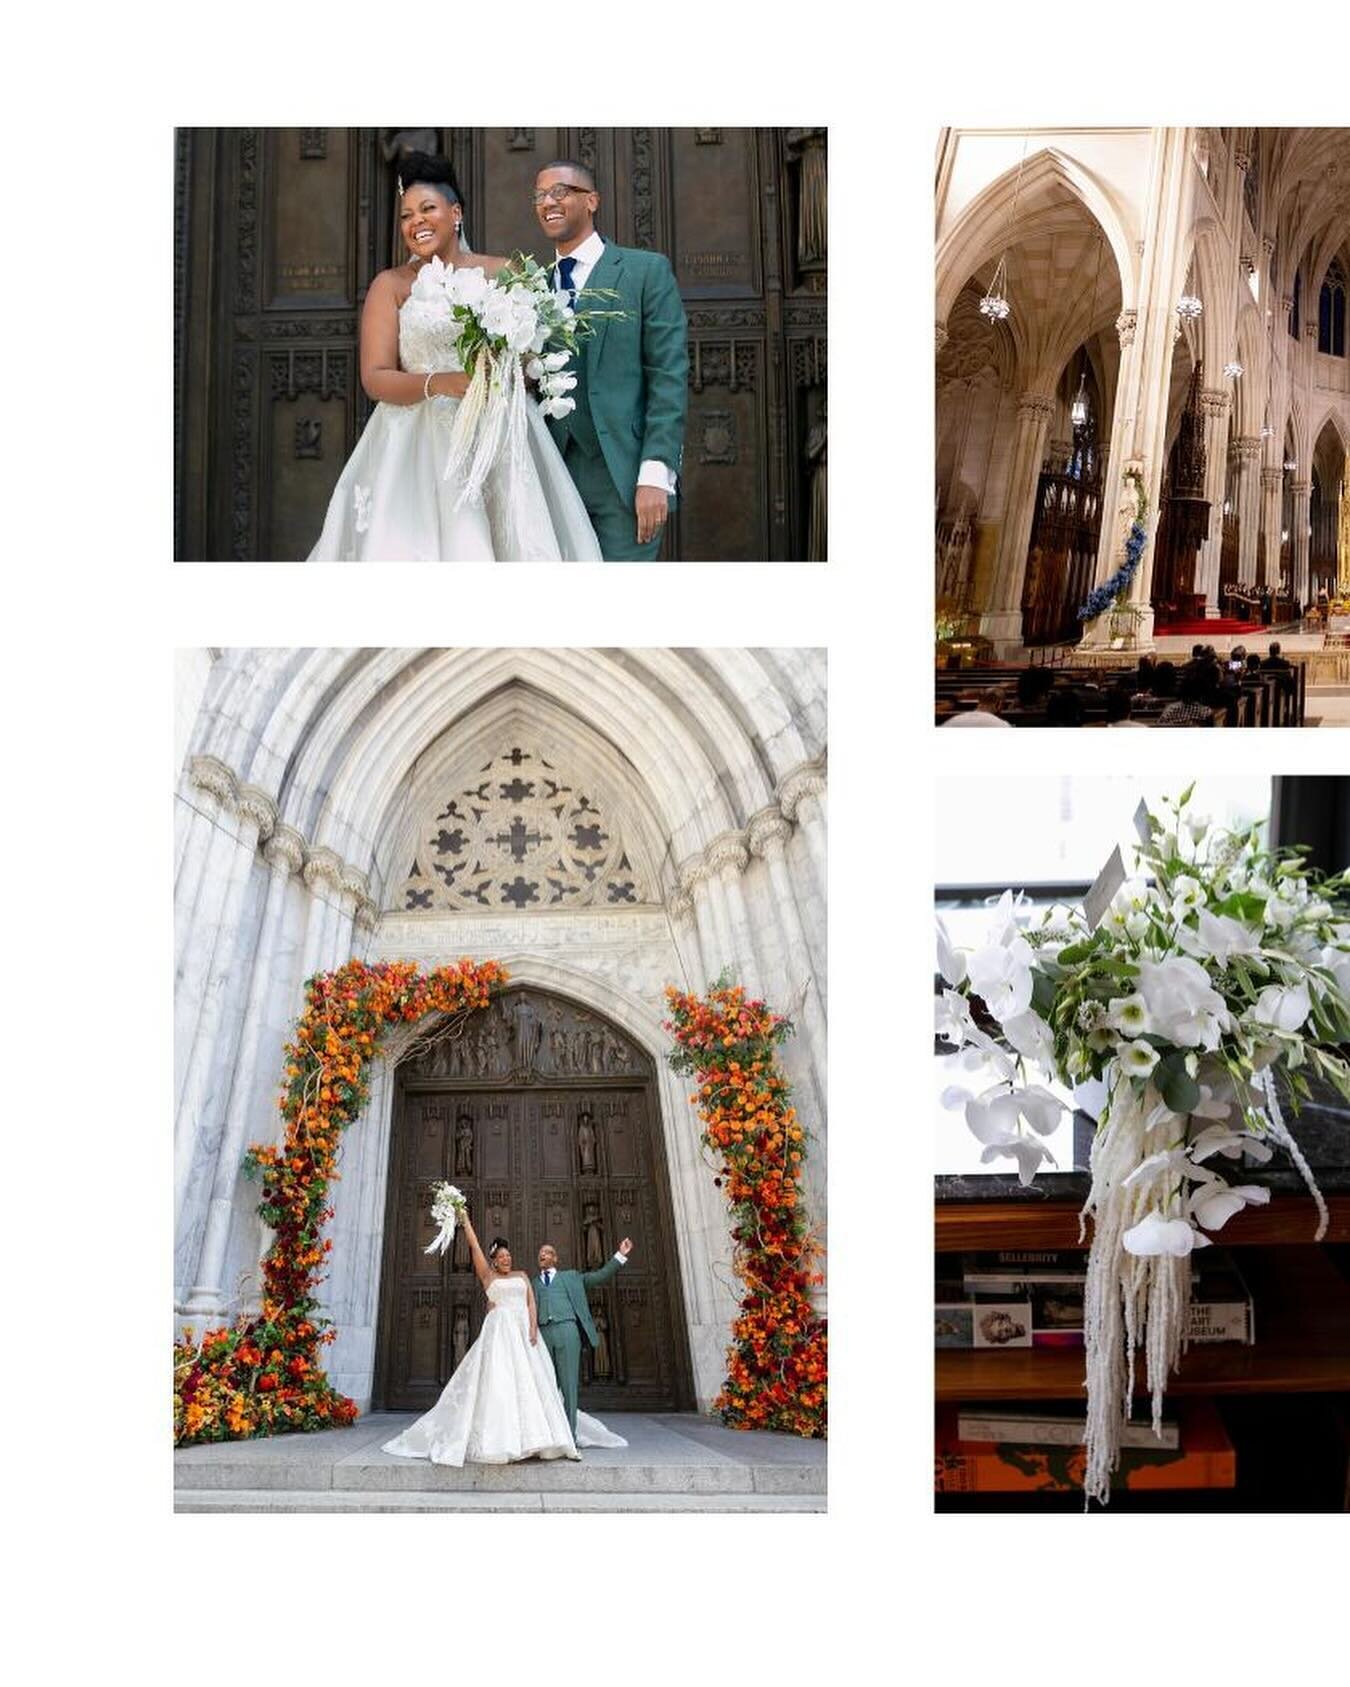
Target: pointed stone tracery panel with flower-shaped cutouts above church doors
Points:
(522, 834)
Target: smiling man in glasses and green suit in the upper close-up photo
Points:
(625, 441)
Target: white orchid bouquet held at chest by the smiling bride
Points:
(510, 328)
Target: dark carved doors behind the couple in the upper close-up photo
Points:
(279, 232)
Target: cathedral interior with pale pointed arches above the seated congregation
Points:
(1140, 313)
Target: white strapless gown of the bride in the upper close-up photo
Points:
(394, 504)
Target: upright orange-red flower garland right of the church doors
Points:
(777, 1361)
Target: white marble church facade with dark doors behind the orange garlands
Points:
(605, 824)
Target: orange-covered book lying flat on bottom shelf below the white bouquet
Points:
(1204, 1460)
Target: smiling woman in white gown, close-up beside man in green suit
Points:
(392, 502)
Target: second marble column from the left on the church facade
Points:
(197, 1123)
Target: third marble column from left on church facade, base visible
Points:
(207, 1303)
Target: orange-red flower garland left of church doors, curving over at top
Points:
(262, 1376)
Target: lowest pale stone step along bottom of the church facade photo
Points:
(200, 1501)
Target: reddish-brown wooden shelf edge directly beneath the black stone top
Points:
(985, 1226)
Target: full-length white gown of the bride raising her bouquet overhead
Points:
(504, 1401)
